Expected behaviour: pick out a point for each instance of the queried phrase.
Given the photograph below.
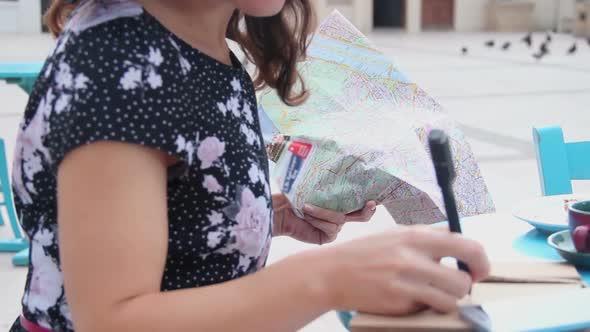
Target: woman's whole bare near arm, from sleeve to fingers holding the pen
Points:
(113, 245)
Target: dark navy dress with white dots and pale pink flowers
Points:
(117, 74)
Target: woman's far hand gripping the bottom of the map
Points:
(319, 226)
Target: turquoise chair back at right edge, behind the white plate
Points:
(559, 162)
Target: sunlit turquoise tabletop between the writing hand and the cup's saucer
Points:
(506, 239)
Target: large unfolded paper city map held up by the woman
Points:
(369, 125)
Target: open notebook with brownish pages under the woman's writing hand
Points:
(508, 282)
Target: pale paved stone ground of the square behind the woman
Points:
(496, 97)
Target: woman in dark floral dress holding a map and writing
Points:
(142, 182)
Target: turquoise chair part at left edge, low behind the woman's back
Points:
(18, 243)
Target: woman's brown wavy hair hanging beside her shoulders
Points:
(274, 44)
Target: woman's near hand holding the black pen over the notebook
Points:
(398, 272)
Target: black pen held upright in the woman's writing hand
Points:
(442, 158)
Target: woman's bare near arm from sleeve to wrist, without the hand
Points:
(113, 243)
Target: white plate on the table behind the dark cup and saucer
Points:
(547, 214)
